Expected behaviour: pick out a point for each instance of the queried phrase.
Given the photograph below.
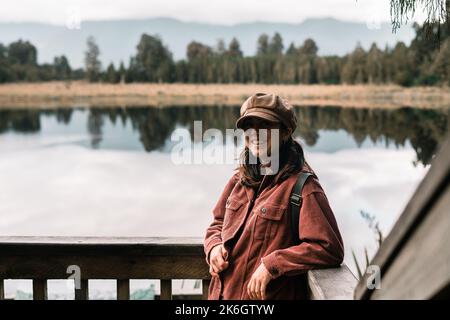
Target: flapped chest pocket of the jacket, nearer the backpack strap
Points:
(268, 217)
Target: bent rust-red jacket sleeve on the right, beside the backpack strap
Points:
(321, 243)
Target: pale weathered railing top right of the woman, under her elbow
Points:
(331, 284)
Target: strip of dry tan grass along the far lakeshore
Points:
(65, 94)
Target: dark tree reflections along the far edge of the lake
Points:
(423, 129)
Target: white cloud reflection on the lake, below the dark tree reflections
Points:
(75, 191)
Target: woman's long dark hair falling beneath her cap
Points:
(291, 160)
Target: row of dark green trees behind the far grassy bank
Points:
(424, 62)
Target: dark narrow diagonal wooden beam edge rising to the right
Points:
(426, 194)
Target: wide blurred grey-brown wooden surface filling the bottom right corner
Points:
(422, 268)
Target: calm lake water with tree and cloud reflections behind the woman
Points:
(109, 171)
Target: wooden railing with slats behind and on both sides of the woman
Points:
(122, 259)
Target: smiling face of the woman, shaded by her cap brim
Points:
(259, 143)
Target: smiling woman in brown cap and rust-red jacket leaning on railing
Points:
(249, 247)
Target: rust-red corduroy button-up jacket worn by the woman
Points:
(254, 227)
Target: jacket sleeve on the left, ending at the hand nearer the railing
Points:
(213, 232)
